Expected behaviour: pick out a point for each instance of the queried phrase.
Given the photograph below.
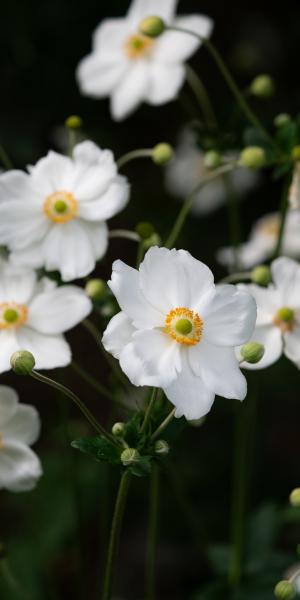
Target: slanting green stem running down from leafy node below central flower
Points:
(115, 535)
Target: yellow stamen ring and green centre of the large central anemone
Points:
(184, 325)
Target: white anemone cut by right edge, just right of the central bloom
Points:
(278, 314)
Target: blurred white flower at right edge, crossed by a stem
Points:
(262, 241)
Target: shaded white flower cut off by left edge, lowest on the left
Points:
(20, 467)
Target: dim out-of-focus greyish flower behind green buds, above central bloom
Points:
(187, 168)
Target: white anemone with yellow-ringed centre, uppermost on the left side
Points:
(55, 215)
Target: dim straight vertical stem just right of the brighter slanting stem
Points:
(152, 534)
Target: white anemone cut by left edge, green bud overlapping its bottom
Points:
(35, 314)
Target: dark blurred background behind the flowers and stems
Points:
(40, 47)
